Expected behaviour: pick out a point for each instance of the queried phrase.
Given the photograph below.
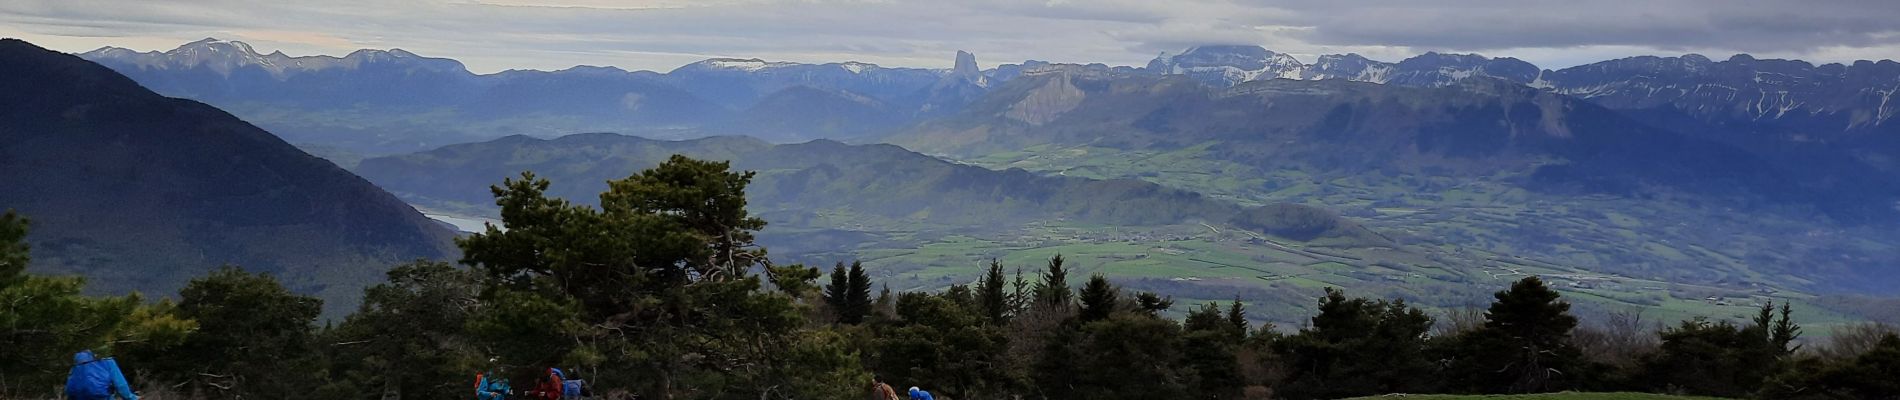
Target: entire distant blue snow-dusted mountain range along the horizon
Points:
(398, 101)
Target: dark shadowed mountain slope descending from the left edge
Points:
(143, 192)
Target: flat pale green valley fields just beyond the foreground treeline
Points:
(1280, 280)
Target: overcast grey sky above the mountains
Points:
(662, 35)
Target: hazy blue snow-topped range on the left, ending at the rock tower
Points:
(394, 101)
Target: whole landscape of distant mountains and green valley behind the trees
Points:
(1435, 172)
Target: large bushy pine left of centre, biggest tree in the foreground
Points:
(658, 282)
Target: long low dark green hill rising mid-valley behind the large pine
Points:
(797, 181)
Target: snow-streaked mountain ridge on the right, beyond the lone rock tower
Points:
(1791, 101)
